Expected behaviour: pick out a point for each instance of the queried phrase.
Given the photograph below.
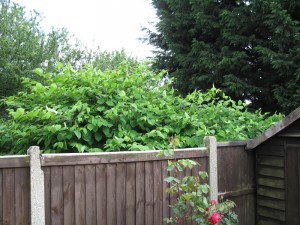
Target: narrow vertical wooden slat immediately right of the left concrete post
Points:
(47, 185)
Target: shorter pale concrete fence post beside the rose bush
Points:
(211, 144)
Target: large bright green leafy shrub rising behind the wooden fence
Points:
(129, 108)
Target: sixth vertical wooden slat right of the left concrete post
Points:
(101, 194)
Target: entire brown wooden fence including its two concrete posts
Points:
(115, 188)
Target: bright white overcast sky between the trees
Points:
(110, 24)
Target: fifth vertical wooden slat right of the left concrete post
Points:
(90, 193)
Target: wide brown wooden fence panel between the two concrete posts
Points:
(100, 189)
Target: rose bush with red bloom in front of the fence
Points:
(191, 194)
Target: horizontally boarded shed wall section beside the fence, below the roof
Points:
(271, 195)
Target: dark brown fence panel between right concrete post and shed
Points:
(236, 177)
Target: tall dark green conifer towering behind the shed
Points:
(248, 48)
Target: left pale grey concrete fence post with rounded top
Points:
(36, 187)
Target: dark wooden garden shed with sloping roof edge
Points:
(277, 153)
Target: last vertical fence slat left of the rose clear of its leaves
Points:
(158, 189)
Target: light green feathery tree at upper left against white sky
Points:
(25, 46)
